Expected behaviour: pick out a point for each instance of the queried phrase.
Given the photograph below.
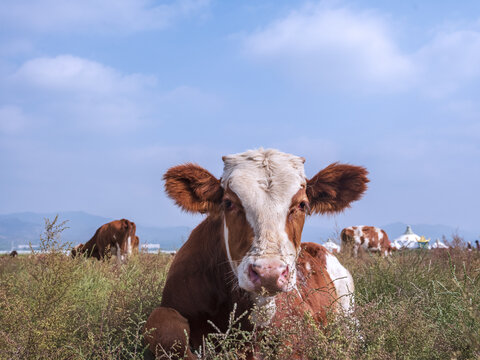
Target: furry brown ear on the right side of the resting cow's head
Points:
(335, 187)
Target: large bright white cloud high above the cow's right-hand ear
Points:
(326, 45)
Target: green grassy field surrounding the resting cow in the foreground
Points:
(415, 305)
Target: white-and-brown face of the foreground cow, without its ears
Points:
(264, 199)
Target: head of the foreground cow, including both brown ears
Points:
(263, 198)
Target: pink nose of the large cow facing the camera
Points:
(269, 275)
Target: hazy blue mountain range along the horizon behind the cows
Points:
(24, 228)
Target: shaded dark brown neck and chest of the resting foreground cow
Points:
(212, 288)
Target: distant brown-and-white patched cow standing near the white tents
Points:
(367, 237)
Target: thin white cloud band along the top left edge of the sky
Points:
(93, 15)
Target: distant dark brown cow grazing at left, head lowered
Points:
(117, 237)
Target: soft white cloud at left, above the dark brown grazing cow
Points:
(87, 95)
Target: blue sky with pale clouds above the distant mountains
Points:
(99, 98)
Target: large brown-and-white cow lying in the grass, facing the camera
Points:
(248, 250)
